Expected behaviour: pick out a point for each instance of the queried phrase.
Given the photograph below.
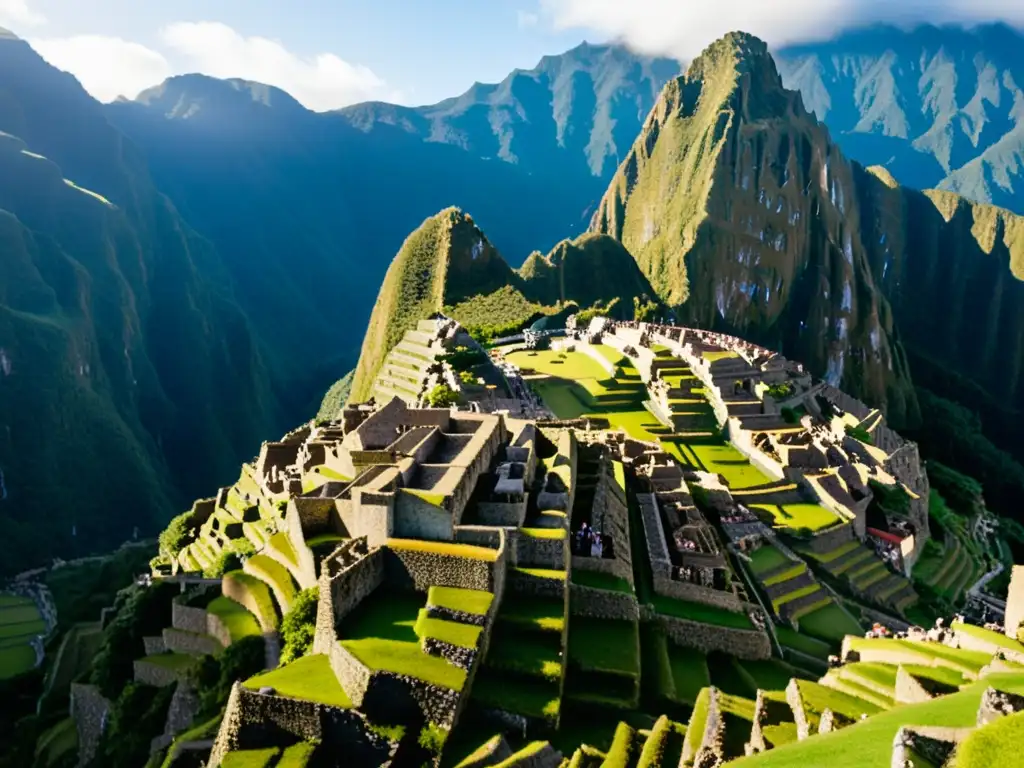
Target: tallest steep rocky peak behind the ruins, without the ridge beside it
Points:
(744, 216)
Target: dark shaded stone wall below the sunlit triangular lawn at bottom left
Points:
(255, 721)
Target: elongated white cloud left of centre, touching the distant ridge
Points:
(321, 82)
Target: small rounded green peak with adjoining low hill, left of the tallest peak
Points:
(448, 265)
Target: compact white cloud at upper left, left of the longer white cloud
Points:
(107, 67)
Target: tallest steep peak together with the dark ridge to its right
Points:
(746, 216)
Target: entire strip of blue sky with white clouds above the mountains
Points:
(331, 54)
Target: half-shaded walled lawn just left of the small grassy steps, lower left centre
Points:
(381, 634)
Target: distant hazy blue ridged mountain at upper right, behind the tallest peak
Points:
(940, 107)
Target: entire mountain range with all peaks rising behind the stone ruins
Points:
(195, 267)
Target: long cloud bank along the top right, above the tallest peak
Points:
(685, 28)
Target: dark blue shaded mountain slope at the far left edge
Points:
(130, 377)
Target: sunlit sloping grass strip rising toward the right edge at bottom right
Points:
(870, 743)
